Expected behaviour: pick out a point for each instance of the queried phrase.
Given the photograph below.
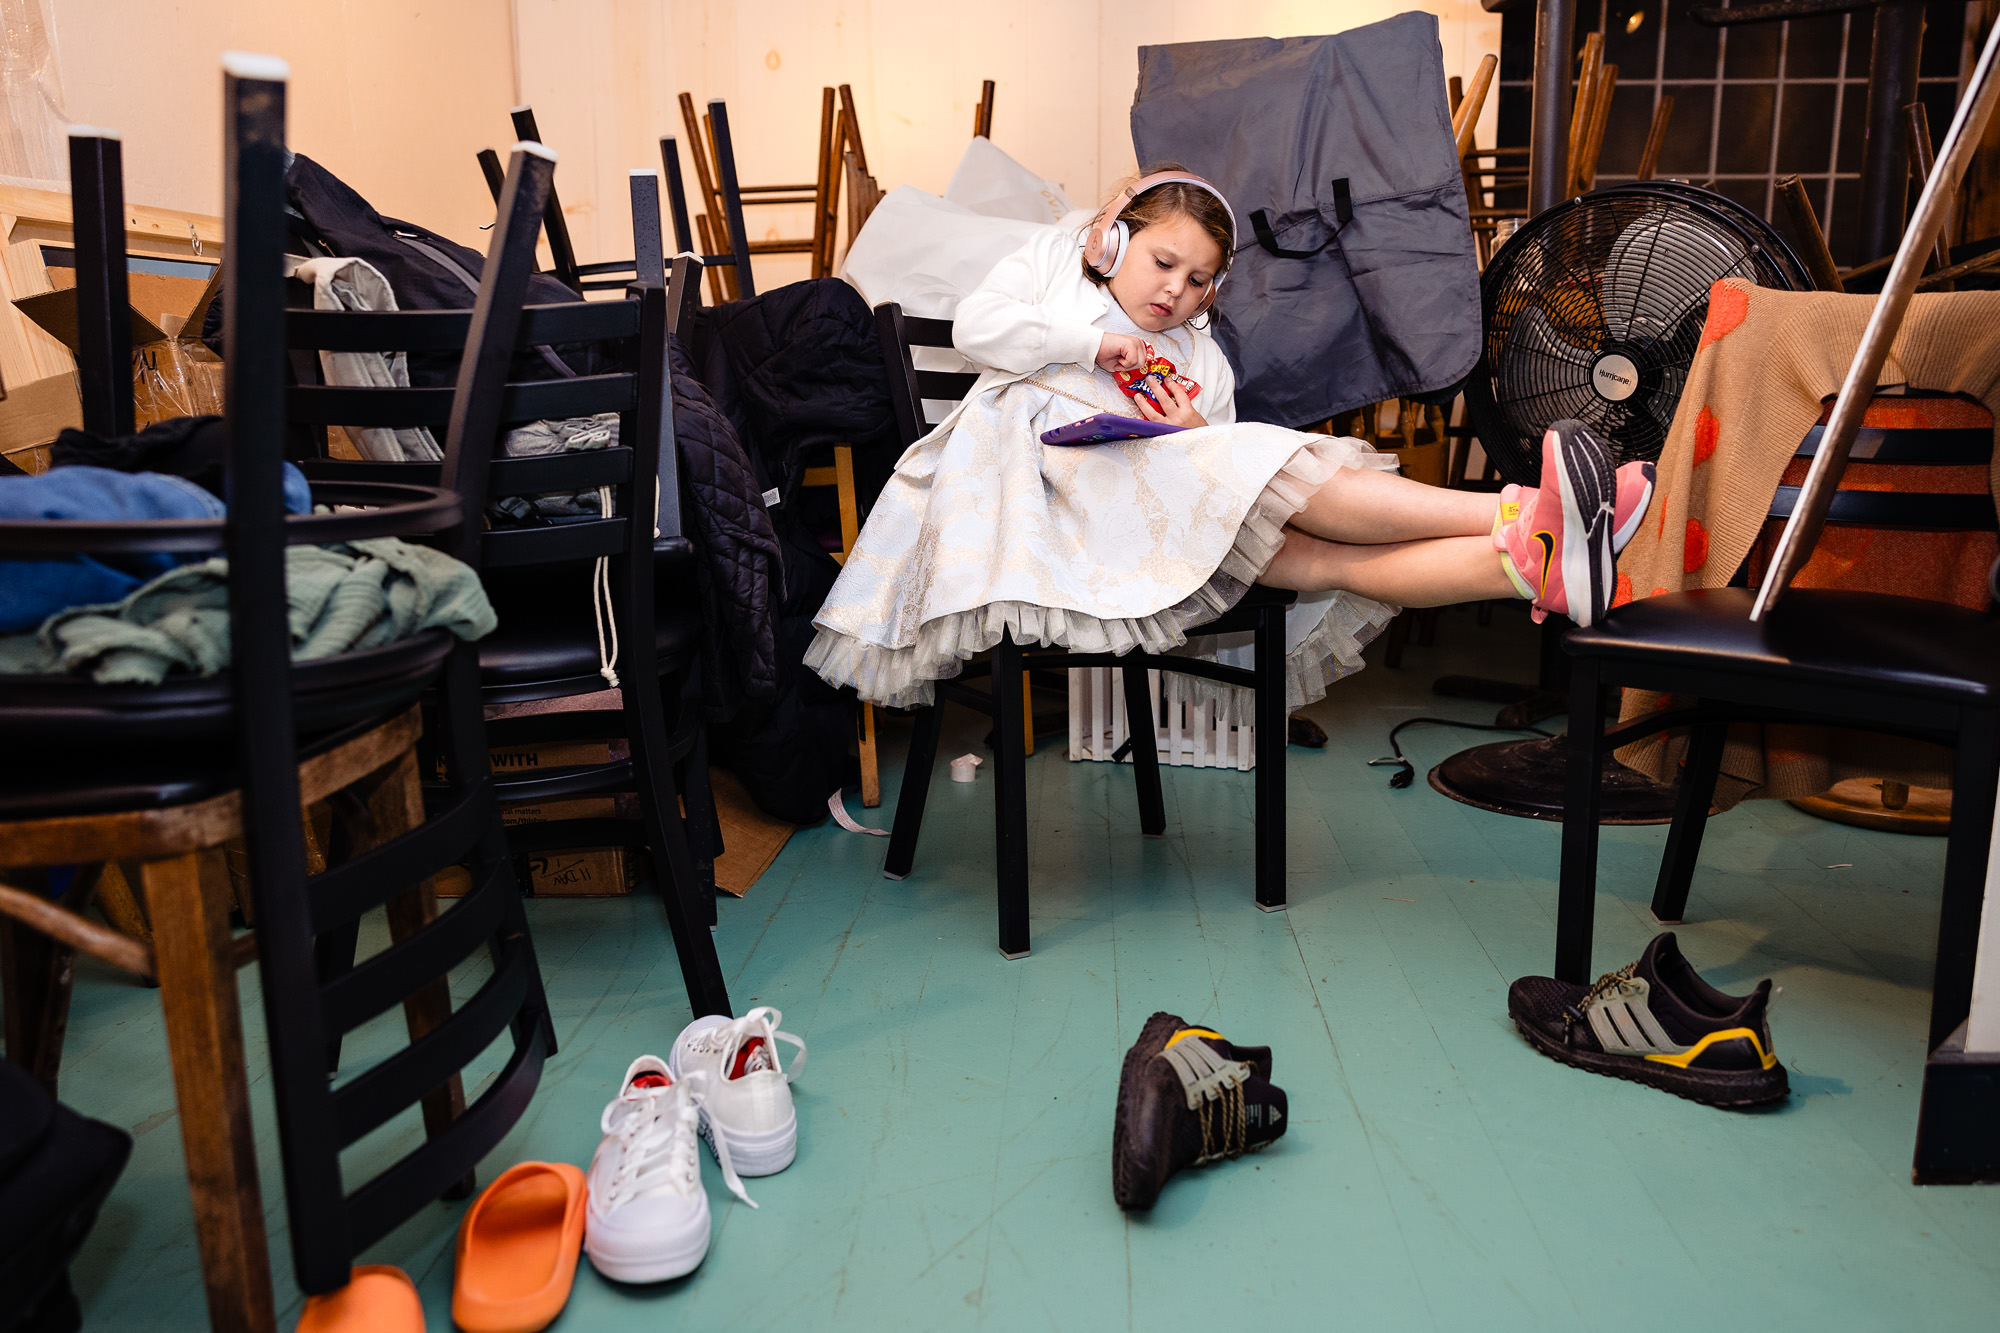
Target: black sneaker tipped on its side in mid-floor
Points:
(1189, 1098)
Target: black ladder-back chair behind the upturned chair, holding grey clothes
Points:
(553, 639)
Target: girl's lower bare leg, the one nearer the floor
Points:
(1423, 573)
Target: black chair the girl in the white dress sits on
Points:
(1261, 613)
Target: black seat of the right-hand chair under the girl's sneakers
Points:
(1815, 637)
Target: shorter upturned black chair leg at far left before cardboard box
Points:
(103, 303)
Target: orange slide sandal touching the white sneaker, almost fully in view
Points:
(519, 1248)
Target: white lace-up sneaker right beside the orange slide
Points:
(649, 1214)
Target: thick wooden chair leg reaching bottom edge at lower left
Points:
(197, 964)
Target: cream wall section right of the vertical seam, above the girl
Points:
(1065, 73)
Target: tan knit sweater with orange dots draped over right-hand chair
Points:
(1761, 375)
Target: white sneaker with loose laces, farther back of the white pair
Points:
(747, 1110)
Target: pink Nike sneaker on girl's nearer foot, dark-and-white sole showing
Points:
(1557, 541)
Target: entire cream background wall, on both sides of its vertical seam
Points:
(397, 97)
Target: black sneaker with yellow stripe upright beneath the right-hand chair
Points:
(1655, 1022)
